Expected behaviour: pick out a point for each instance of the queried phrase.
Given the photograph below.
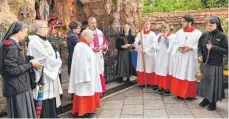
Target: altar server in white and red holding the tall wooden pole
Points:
(149, 42)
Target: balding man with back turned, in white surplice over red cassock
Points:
(84, 80)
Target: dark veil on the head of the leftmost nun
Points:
(14, 28)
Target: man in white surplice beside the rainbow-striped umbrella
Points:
(41, 49)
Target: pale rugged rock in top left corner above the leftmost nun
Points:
(10, 11)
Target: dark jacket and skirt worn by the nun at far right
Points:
(212, 84)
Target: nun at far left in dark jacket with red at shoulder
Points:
(15, 70)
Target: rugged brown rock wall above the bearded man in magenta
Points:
(111, 13)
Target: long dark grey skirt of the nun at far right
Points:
(212, 84)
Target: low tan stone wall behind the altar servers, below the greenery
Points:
(174, 18)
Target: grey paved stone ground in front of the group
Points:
(143, 103)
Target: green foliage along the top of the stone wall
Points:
(180, 5)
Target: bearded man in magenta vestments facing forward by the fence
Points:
(99, 46)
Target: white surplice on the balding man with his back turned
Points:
(84, 77)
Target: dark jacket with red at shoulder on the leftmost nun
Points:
(15, 69)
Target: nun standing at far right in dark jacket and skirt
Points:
(212, 46)
